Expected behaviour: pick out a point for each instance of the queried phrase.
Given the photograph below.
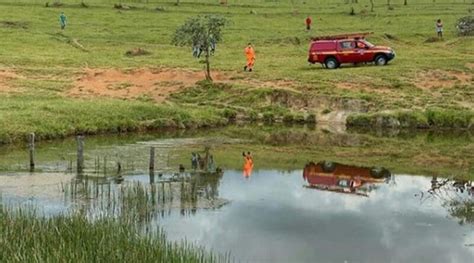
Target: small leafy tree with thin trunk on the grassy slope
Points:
(203, 32)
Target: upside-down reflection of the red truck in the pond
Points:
(342, 178)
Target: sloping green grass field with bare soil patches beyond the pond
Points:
(40, 64)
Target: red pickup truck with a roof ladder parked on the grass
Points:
(332, 51)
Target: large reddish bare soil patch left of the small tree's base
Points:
(155, 84)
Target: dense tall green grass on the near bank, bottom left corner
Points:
(27, 236)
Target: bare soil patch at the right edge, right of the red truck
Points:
(442, 79)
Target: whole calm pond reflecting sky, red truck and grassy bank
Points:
(279, 211)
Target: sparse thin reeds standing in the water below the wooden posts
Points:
(142, 198)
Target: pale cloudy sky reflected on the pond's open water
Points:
(281, 222)
